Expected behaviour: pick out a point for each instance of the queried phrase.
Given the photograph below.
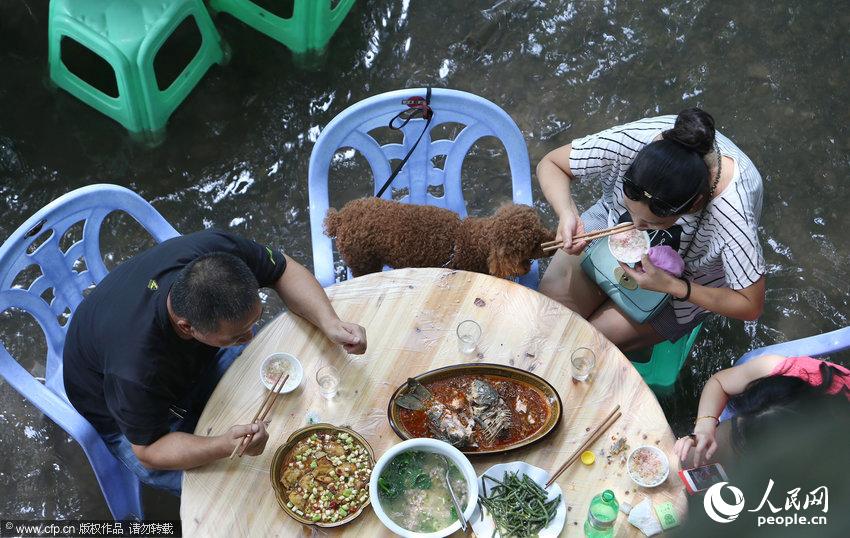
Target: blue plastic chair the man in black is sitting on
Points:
(90, 204)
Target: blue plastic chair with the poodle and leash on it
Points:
(350, 129)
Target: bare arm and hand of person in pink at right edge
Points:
(715, 395)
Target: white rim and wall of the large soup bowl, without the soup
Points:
(426, 445)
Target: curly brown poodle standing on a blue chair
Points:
(371, 233)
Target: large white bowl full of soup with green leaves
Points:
(408, 488)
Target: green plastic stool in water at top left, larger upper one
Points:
(127, 35)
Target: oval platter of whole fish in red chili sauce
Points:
(477, 408)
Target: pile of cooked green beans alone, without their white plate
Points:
(517, 505)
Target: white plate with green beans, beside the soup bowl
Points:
(512, 503)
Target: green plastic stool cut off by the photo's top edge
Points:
(311, 26)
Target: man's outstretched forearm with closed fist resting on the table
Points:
(304, 296)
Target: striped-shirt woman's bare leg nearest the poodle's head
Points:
(566, 282)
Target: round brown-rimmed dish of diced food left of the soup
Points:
(321, 475)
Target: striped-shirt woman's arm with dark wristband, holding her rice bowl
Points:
(746, 304)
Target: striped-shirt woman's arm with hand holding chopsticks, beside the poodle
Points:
(553, 173)
